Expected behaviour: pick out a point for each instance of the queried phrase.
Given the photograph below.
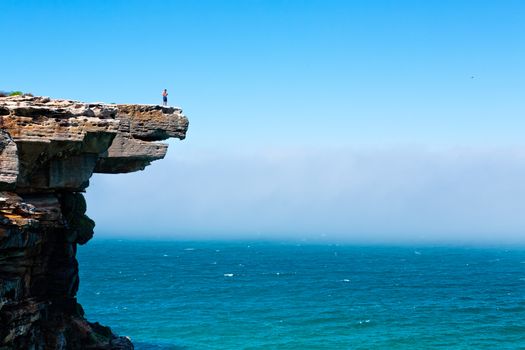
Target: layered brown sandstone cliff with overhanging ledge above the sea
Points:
(48, 151)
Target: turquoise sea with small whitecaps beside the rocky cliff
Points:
(181, 295)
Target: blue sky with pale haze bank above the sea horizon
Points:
(308, 119)
